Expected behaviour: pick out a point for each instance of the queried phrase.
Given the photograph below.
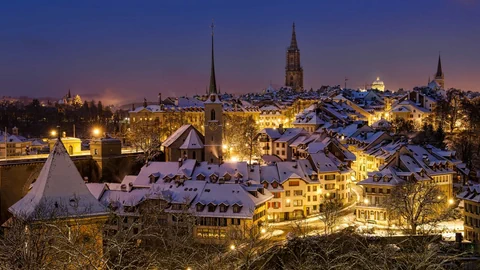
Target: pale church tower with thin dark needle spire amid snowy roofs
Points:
(213, 119)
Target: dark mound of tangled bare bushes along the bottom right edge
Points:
(347, 250)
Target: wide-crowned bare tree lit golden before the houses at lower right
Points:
(417, 204)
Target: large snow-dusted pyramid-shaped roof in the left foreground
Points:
(58, 192)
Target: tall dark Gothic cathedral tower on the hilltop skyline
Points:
(293, 70)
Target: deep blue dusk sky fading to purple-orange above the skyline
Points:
(130, 49)
